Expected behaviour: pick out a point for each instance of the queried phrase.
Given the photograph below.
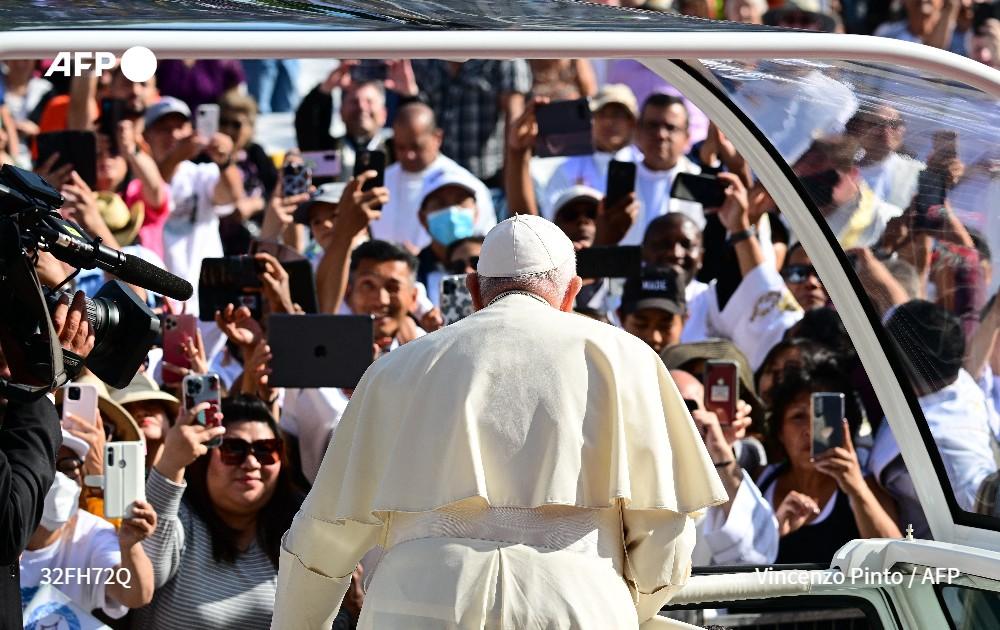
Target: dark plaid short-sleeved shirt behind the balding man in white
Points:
(468, 109)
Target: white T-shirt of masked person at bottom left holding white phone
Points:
(92, 545)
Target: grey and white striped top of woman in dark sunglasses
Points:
(193, 591)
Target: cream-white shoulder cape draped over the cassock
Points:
(524, 406)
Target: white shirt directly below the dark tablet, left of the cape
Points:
(312, 415)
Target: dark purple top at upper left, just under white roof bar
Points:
(204, 82)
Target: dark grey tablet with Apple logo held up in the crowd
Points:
(319, 350)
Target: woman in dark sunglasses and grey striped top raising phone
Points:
(222, 512)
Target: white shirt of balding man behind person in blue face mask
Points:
(400, 221)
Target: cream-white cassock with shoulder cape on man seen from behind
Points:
(523, 468)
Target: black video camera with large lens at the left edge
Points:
(124, 327)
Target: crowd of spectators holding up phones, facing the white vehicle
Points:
(731, 282)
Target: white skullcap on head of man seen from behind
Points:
(523, 245)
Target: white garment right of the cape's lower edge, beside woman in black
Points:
(748, 535)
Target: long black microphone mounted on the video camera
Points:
(131, 269)
